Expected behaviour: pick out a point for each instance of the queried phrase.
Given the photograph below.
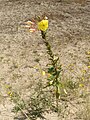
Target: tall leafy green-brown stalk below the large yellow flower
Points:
(56, 68)
